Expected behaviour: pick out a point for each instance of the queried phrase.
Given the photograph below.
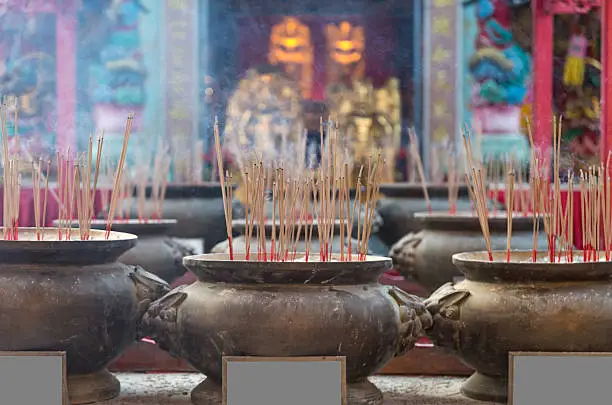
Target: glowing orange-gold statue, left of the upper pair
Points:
(291, 47)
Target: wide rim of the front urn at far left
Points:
(66, 252)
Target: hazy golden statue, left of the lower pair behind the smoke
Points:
(264, 116)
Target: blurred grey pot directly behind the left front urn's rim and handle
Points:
(154, 251)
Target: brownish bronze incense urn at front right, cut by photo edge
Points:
(519, 306)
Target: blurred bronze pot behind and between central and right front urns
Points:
(426, 256)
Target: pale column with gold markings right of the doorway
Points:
(440, 123)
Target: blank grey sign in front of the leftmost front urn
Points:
(33, 378)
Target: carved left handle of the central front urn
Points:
(160, 321)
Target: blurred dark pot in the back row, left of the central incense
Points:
(198, 210)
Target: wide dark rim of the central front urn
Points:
(217, 267)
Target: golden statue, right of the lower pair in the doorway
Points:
(368, 119)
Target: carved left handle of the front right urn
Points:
(445, 307)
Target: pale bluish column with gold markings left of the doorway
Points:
(181, 83)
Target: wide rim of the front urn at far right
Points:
(477, 267)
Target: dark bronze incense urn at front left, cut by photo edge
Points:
(74, 296)
